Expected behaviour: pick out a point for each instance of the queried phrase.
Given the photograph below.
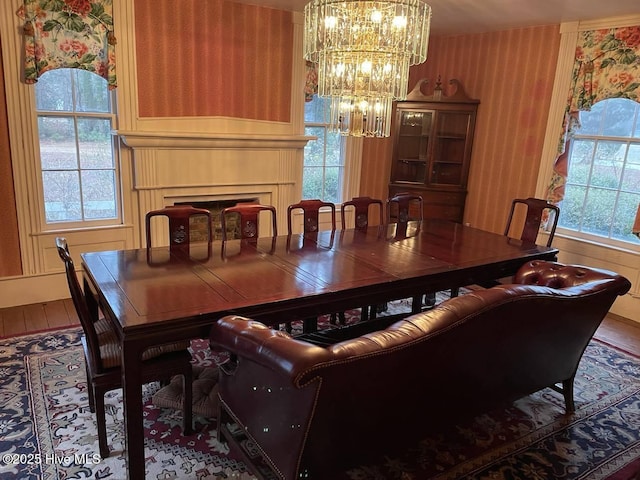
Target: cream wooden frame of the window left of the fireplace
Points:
(112, 115)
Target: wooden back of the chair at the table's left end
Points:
(80, 304)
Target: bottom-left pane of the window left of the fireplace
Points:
(62, 196)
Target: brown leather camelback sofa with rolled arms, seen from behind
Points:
(312, 411)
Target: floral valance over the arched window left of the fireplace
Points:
(68, 34)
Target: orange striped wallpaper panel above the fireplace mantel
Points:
(213, 58)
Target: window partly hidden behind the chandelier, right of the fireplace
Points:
(323, 173)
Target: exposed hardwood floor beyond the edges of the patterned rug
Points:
(614, 330)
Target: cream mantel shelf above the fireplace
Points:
(175, 140)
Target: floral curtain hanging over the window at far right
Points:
(606, 65)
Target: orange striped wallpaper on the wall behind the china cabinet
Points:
(511, 72)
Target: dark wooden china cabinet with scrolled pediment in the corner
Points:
(433, 136)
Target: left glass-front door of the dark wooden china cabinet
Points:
(413, 145)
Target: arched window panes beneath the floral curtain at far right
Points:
(603, 183)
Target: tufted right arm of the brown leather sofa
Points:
(557, 275)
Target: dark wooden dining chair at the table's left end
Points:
(103, 357)
